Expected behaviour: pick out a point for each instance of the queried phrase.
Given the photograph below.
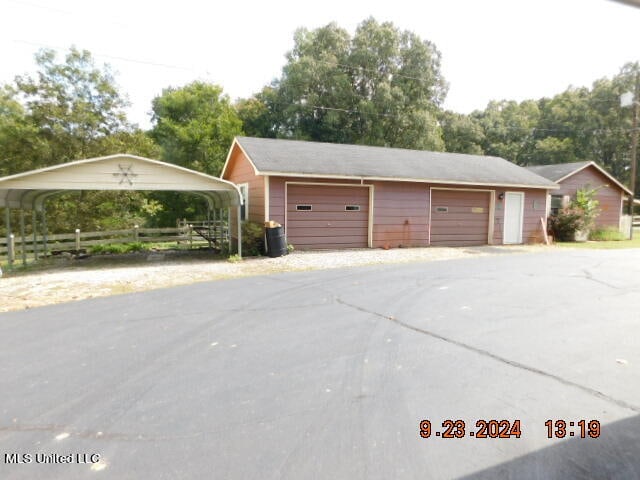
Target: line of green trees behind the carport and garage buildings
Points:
(380, 86)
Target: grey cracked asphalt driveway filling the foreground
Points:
(327, 374)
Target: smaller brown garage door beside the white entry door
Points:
(459, 217)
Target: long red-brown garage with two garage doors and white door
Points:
(352, 196)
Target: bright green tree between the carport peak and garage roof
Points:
(194, 126)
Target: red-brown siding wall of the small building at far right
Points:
(610, 197)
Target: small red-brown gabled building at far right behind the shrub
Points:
(572, 177)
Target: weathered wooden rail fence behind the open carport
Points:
(64, 242)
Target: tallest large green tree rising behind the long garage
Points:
(382, 86)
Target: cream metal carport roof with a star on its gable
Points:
(114, 172)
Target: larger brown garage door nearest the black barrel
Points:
(321, 216)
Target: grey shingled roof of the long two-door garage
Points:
(292, 157)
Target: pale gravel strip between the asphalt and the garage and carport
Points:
(75, 280)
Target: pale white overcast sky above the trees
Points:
(491, 49)
